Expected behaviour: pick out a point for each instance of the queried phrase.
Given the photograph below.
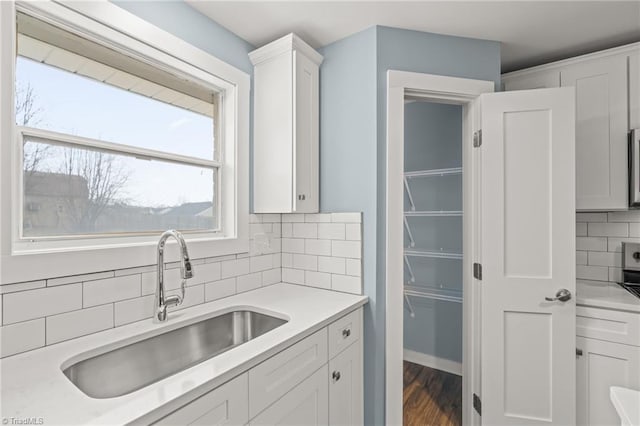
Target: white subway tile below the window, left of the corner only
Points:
(39, 313)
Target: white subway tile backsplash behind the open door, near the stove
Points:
(599, 238)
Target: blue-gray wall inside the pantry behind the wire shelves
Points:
(433, 140)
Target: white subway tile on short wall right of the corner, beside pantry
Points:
(323, 250)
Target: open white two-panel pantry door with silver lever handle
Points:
(527, 217)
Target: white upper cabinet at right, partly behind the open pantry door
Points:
(607, 99)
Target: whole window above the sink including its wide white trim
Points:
(116, 131)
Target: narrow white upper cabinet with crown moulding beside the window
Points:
(286, 127)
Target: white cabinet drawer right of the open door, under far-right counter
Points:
(605, 324)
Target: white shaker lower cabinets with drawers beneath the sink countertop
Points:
(317, 381)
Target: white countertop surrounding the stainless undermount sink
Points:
(33, 385)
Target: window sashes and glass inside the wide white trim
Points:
(110, 144)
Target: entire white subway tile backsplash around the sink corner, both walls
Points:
(318, 250)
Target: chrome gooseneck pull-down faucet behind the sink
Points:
(186, 272)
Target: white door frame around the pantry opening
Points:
(440, 89)
